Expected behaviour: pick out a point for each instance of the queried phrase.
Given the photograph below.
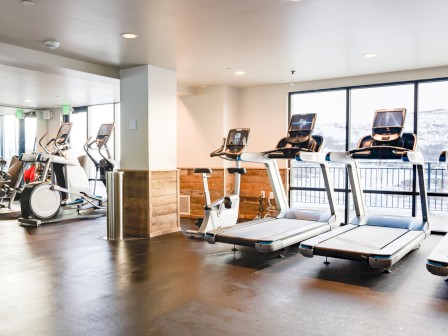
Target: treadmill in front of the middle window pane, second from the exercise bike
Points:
(381, 240)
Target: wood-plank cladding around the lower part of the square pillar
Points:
(151, 202)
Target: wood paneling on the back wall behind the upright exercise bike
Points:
(252, 184)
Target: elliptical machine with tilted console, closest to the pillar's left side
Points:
(106, 163)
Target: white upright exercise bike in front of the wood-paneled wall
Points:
(224, 211)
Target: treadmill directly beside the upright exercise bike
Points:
(291, 226)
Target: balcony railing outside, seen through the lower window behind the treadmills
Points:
(385, 186)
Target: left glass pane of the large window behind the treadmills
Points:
(330, 107)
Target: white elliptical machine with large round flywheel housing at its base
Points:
(66, 195)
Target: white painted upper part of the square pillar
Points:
(148, 118)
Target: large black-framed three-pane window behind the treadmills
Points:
(387, 186)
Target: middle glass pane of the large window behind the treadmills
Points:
(386, 175)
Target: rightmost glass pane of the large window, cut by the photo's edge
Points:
(433, 139)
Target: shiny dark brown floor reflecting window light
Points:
(64, 279)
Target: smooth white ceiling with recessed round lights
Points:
(200, 39)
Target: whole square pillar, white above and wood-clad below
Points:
(148, 151)
